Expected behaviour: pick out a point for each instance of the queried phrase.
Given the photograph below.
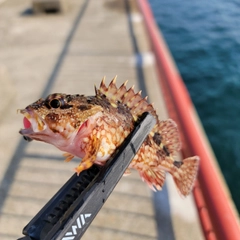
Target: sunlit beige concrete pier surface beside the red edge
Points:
(70, 52)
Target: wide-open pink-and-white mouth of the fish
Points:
(32, 123)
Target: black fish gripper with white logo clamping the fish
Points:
(71, 210)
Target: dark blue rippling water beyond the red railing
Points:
(204, 39)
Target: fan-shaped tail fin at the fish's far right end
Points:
(184, 174)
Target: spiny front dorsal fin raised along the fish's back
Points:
(134, 101)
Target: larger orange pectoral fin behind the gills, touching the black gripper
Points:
(91, 155)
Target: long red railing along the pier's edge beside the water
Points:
(217, 214)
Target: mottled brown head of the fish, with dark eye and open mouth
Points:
(59, 118)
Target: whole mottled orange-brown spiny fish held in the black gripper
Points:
(93, 127)
